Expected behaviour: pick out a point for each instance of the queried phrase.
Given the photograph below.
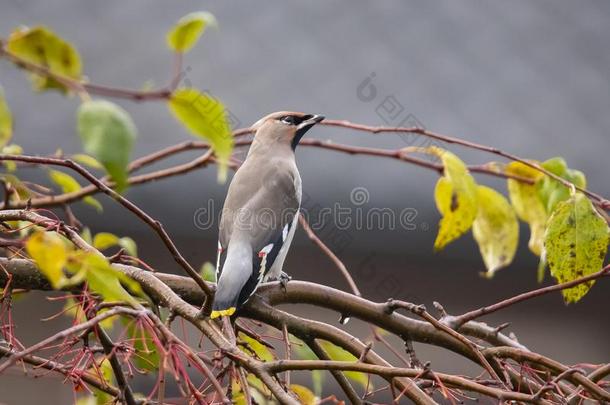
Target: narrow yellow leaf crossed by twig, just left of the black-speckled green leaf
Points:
(527, 203)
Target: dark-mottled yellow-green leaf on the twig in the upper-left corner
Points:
(41, 46)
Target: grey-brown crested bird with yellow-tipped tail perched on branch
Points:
(260, 212)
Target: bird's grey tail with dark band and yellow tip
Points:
(235, 273)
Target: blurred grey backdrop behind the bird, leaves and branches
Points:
(528, 77)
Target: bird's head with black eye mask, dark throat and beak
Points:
(284, 127)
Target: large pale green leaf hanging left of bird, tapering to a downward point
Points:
(108, 133)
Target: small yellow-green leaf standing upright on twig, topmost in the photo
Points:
(185, 34)
